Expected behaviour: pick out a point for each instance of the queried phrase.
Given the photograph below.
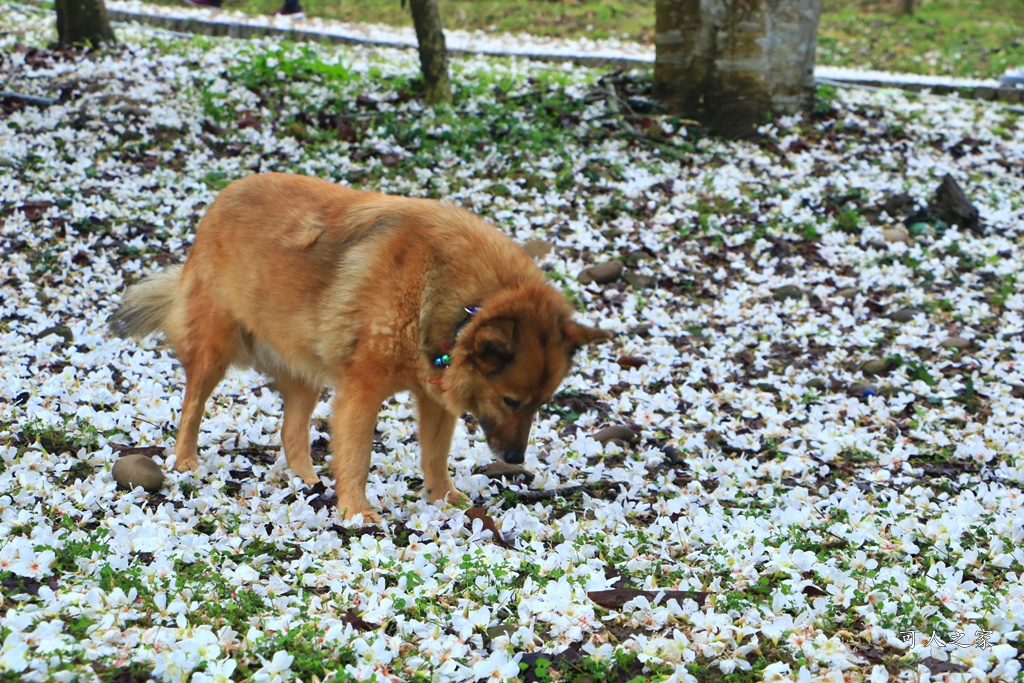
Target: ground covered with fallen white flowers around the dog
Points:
(817, 382)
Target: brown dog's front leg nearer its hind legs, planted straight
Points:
(356, 407)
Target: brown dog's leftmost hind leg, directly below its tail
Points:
(205, 348)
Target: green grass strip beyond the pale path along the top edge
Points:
(980, 39)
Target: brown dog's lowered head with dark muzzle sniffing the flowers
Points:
(511, 359)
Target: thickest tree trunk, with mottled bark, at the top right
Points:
(731, 64)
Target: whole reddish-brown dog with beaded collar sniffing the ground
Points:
(313, 284)
